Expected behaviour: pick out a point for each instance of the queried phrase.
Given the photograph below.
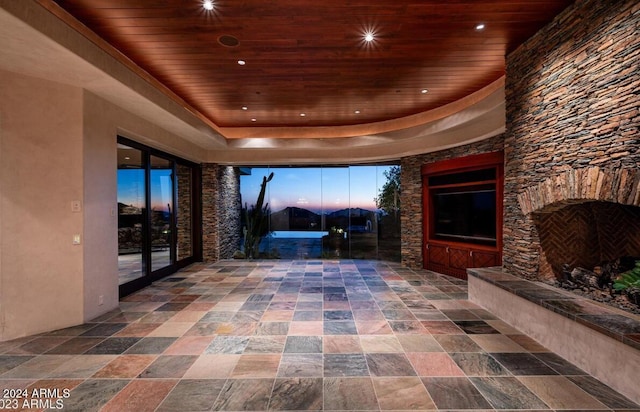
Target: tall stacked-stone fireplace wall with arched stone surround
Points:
(572, 120)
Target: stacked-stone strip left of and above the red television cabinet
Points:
(411, 193)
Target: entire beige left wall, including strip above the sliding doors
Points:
(58, 144)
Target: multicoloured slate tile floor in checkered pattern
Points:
(295, 335)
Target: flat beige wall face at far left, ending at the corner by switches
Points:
(41, 285)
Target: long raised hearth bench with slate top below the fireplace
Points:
(604, 342)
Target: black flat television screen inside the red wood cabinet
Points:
(465, 215)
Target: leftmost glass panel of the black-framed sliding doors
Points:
(131, 213)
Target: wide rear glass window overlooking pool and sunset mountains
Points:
(327, 212)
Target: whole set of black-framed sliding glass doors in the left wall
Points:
(157, 232)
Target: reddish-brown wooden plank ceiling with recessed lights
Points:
(310, 57)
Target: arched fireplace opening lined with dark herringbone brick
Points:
(585, 246)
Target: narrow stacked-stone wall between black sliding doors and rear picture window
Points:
(221, 208)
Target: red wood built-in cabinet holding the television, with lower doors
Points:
(462, 213)
